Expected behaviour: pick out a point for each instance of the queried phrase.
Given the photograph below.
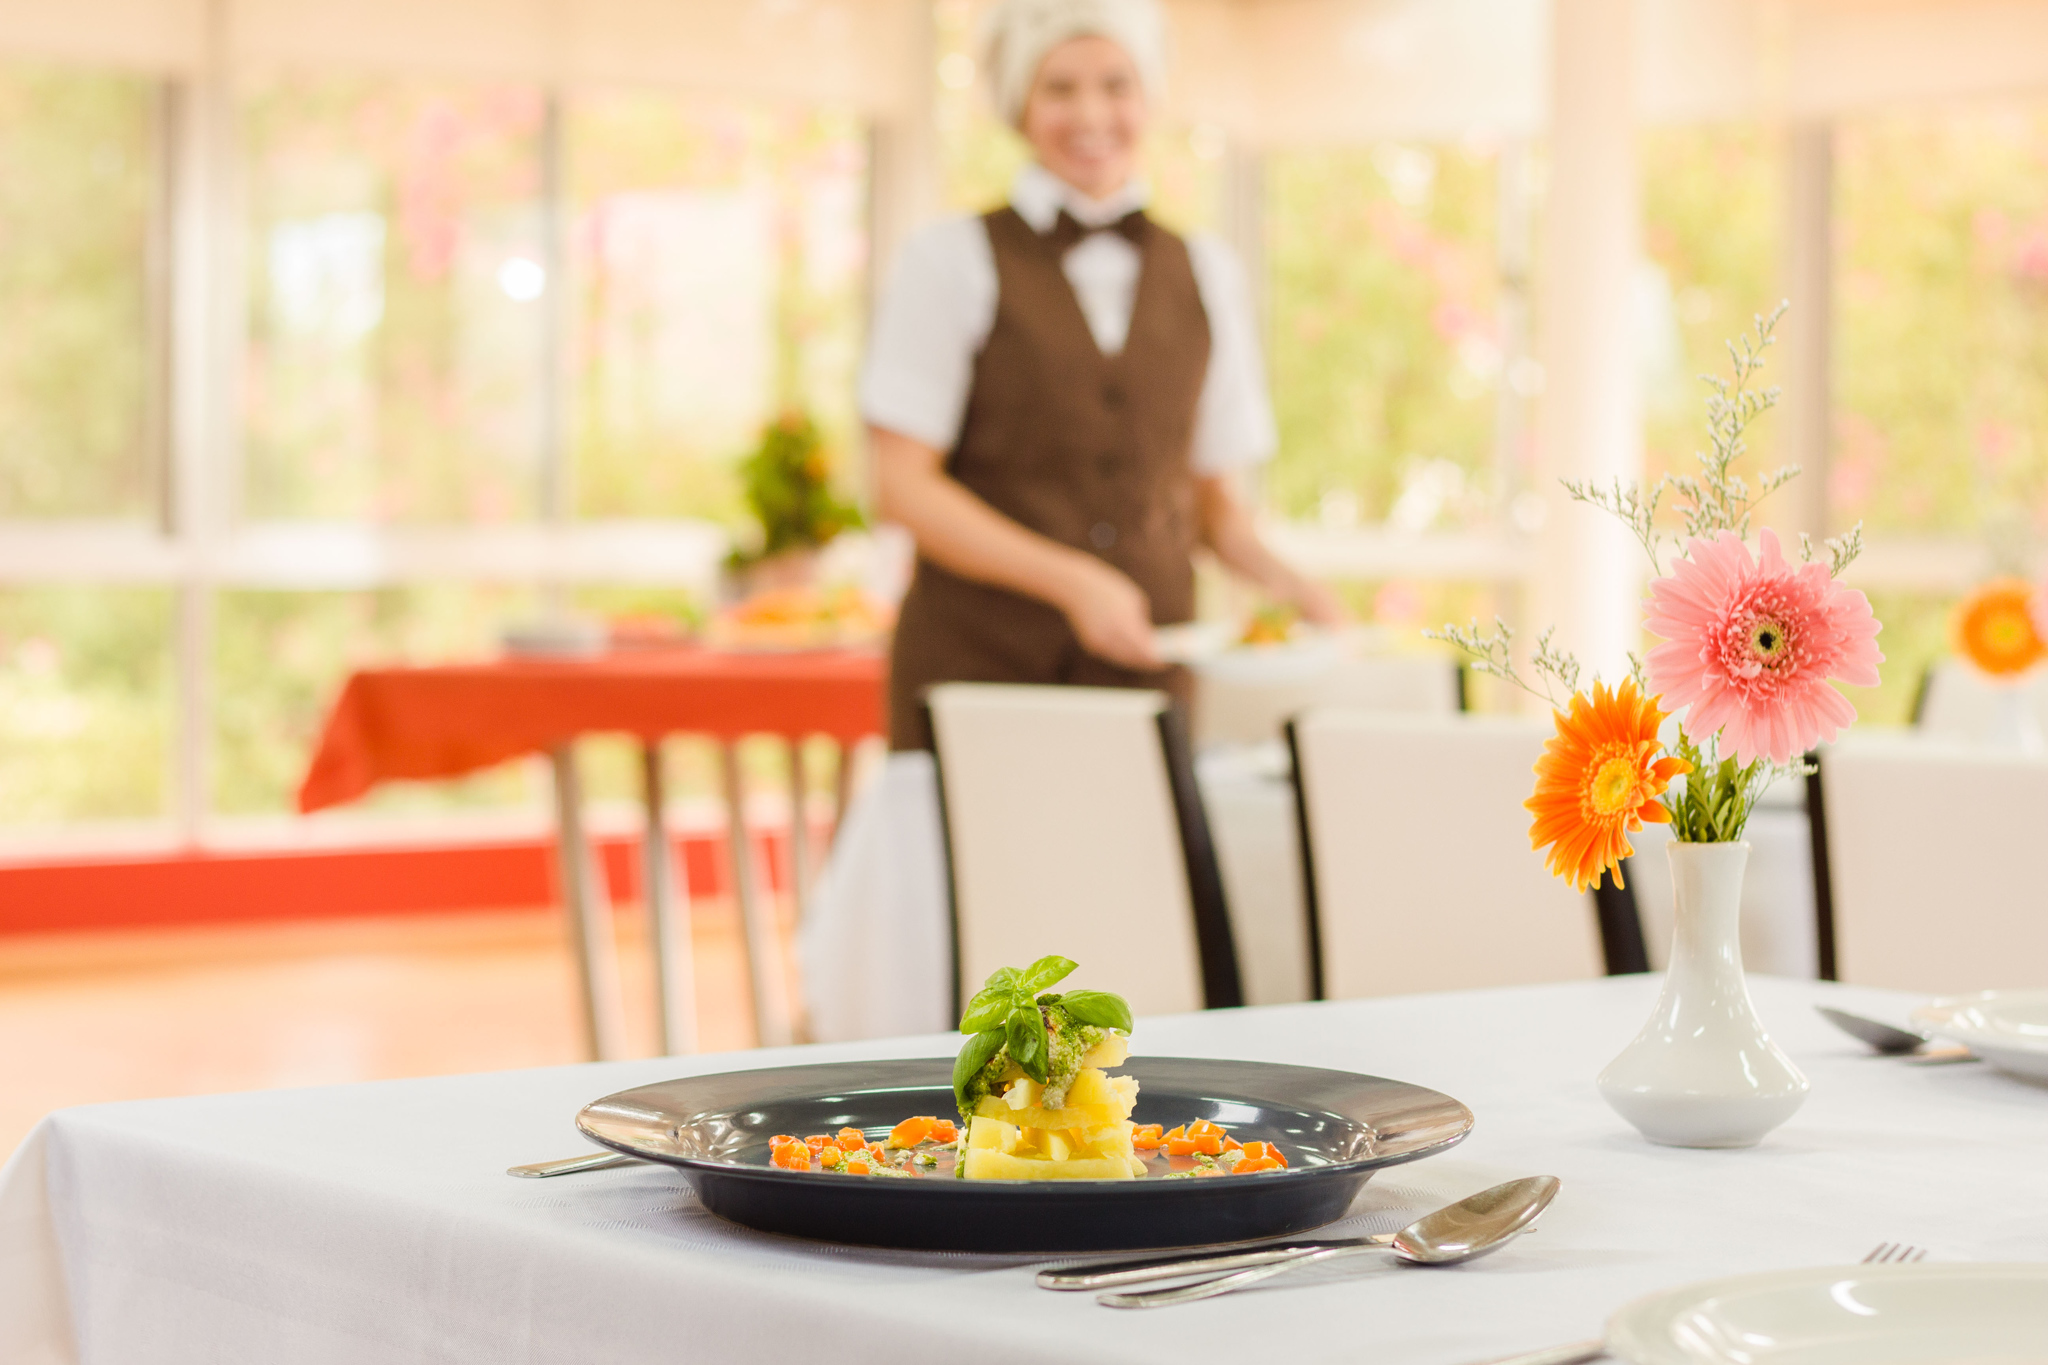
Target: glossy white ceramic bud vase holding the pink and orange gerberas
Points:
(1703, 1071)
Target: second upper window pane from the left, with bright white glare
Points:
(396, 300)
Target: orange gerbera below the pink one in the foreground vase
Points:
(1598, 781)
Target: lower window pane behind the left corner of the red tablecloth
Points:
(282, 660)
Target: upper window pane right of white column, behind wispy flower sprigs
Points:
(1711, 240)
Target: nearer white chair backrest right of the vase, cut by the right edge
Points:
(1930, 875)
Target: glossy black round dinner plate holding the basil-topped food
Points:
(1334, 1127)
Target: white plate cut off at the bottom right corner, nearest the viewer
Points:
(1857, 1315)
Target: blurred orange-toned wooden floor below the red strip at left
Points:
(189, 1012)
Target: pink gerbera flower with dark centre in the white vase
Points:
(1754, 646)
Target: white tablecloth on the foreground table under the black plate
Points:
(374, 1223)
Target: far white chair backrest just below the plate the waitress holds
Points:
(1236, 707)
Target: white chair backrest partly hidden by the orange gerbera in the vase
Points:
(1418, 856)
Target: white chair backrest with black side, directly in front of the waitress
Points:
(1074, 828)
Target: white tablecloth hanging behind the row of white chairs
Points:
(876, 944)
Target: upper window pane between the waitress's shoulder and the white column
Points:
(1385, 333)
